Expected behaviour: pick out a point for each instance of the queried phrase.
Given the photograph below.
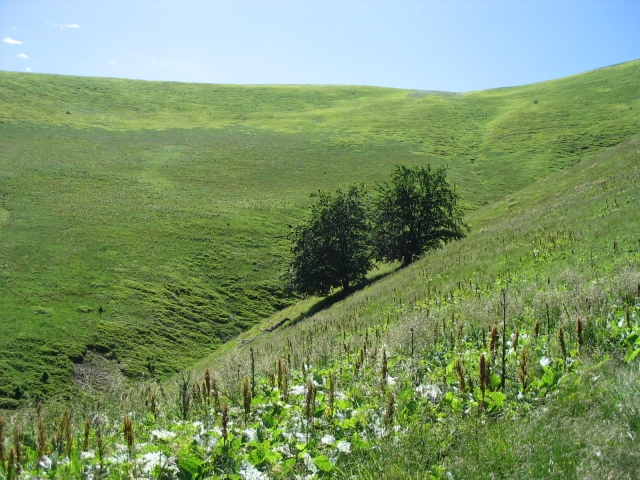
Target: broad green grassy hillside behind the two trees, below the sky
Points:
(165, 206)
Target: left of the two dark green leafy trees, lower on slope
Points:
(331, 249)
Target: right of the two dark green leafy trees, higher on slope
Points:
(416, 213)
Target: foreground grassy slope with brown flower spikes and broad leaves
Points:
(386, 383)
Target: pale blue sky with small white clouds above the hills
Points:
(432, 45)
